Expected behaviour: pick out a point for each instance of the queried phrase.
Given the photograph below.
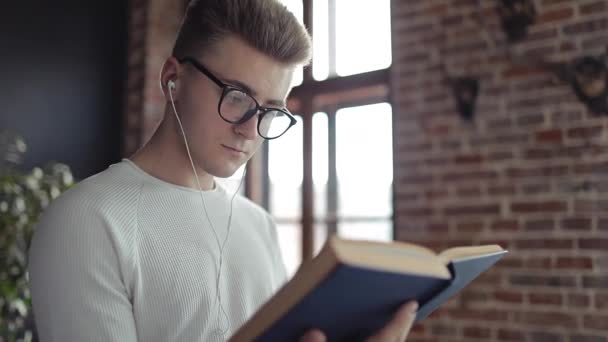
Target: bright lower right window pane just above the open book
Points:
(364, 164)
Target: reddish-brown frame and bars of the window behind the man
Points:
(312, 96)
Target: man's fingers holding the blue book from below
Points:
(396, 330)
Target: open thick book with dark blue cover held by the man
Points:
(353, 288)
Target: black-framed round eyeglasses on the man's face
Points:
(236, 106)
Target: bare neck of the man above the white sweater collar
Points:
(165, 158)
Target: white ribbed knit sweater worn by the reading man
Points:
(124, 256)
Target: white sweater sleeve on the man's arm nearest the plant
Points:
(78, 289)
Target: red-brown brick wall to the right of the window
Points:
(530, 172)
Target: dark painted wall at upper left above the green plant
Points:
(62, 72)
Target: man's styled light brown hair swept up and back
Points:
(266, 25)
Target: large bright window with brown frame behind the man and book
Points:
(313, 174)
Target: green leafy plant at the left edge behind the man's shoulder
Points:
(23, 197)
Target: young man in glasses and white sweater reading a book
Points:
(153, 249)
